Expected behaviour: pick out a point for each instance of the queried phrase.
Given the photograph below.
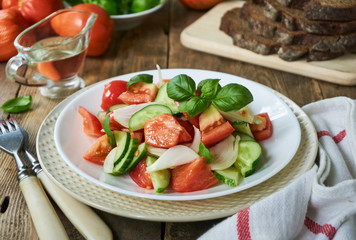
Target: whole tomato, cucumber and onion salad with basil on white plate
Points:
(176, 134)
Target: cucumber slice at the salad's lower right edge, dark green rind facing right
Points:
(248, 157)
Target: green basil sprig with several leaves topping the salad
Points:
(229, 98)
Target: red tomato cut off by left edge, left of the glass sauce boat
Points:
(12, 24)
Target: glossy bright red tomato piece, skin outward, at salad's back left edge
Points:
(112, 91)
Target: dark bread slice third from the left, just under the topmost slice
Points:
(296, 20)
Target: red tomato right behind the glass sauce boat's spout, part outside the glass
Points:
(102, 30)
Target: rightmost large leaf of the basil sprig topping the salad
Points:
(232, 97)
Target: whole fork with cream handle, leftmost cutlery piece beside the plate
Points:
(44, 217)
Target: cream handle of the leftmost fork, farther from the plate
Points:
(44, 217)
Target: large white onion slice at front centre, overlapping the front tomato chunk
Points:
(174, 156)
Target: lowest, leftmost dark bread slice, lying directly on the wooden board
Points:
(234, 25)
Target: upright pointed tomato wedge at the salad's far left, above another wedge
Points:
(91, 124)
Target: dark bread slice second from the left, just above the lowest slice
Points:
(263, 26)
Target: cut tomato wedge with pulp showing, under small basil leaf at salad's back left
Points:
(139, 92)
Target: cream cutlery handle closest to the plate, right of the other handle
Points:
(88, 223)
